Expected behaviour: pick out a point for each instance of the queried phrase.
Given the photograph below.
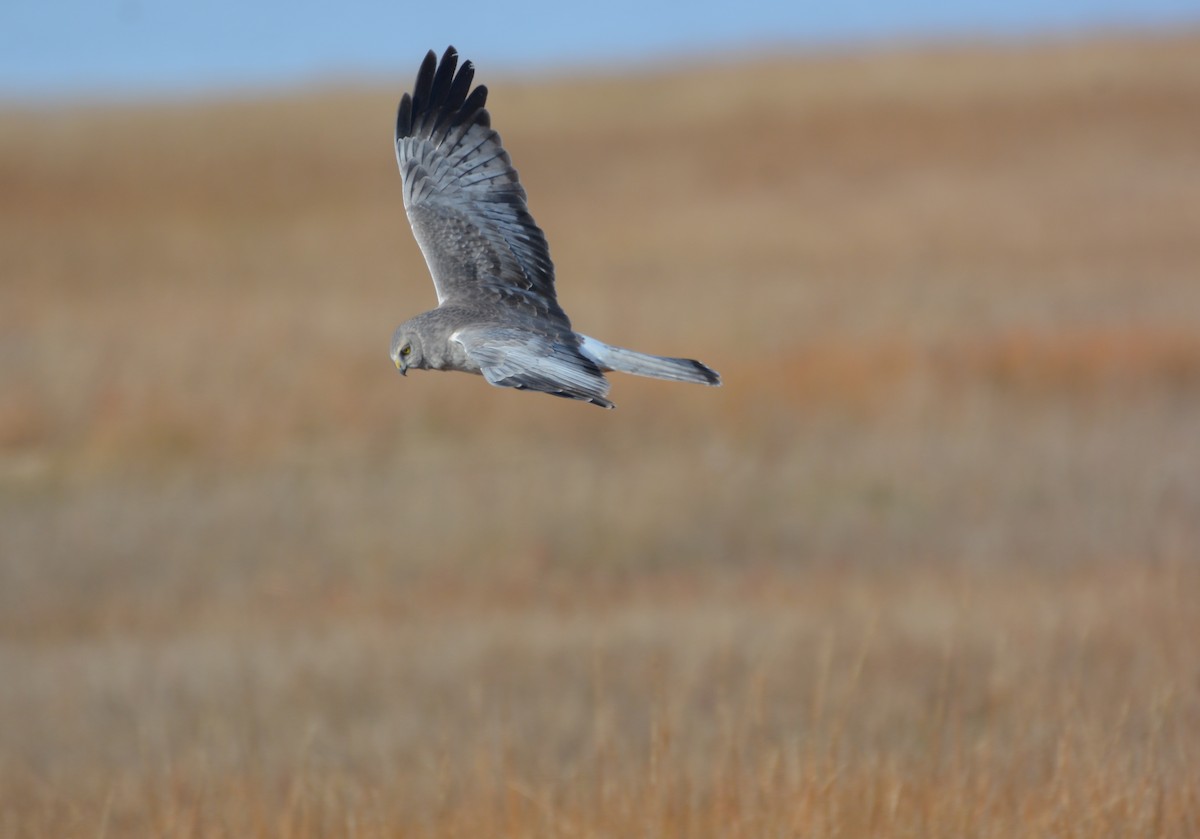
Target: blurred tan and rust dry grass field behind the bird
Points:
(927, 566)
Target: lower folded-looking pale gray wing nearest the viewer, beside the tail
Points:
(514, 358)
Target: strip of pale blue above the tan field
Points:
(129, 49)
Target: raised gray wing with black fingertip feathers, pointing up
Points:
(464, 200)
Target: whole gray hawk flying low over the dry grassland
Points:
(497, 311)
